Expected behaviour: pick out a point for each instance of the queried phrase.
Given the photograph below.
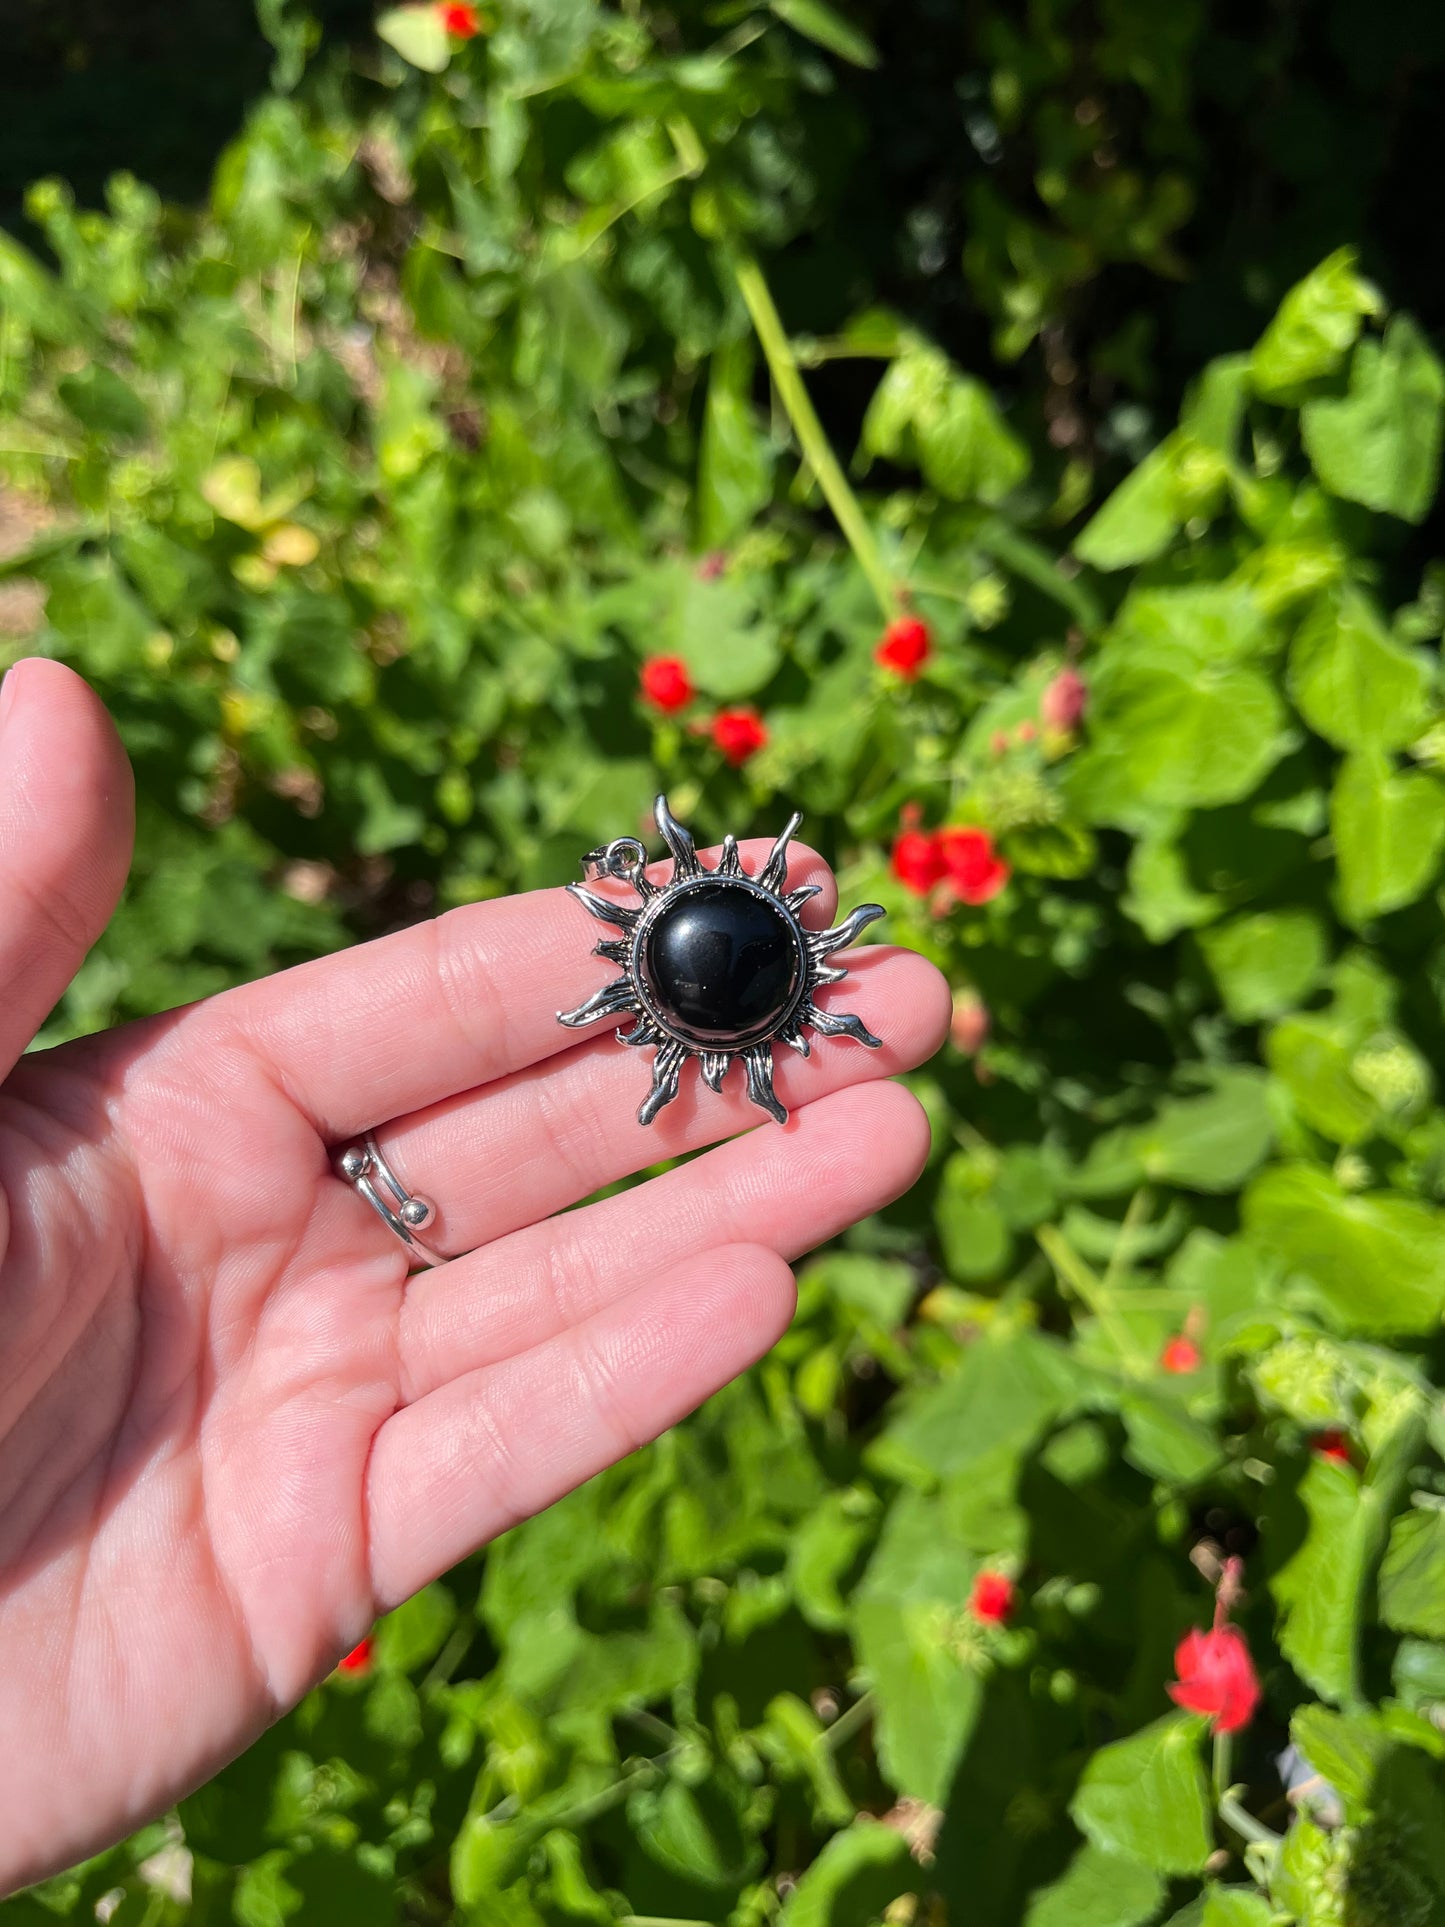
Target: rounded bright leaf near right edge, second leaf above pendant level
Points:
(1352, 683)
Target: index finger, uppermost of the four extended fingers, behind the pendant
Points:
(438, 1009)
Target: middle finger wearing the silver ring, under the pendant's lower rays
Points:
(544, 1138)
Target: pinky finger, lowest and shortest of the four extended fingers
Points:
(496, 1446)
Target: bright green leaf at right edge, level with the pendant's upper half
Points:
(1390, 832)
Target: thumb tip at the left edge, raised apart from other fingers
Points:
(66, 832)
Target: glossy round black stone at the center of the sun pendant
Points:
(722, 964)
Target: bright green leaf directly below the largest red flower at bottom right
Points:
(1147, 1797)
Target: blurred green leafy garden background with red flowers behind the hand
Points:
(377, 406)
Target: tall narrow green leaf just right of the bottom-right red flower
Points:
(1321, 1589)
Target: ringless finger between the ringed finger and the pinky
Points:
(847, 1157)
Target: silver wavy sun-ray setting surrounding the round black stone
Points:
(633, 995)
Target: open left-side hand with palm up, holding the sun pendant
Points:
(232, 1429)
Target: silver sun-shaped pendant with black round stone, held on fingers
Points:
(716, 964)
